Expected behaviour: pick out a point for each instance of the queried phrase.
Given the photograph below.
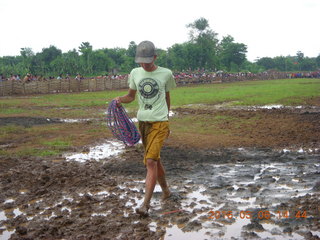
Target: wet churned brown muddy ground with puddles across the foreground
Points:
(260, 183)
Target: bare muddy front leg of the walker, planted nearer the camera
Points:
(151, 181)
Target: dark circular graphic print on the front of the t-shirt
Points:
(149, 89)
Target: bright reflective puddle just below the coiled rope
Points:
(108, 149)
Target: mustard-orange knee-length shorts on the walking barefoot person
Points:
(153, 135)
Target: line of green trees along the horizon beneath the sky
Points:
(203, 50)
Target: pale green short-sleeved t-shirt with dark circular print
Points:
(151, 90)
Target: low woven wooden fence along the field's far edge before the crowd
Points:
(14, 87)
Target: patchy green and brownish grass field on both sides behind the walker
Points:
(54, 139)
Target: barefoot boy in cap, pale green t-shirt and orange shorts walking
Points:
(152, 85)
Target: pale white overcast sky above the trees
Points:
(268, 28)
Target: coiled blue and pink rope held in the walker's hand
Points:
(121, 126)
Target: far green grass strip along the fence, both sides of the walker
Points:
(286, 92)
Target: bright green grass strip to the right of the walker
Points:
(286, 92)
